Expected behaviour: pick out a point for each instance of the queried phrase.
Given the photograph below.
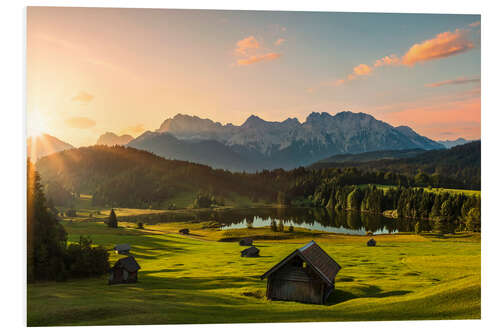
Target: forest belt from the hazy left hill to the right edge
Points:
(127, 177)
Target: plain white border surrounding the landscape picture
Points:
(13, 166)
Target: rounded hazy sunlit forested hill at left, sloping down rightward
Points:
(134, 178)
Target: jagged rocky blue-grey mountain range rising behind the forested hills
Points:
(258, 144)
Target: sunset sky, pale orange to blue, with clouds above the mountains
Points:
(94, 70)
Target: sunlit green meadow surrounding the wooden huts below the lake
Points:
(195, 279)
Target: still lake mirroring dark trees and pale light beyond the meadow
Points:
(345, 222)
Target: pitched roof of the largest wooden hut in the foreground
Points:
(316, 257)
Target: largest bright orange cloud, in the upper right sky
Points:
(443, 45)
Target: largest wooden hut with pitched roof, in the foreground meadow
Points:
(306, 275)
